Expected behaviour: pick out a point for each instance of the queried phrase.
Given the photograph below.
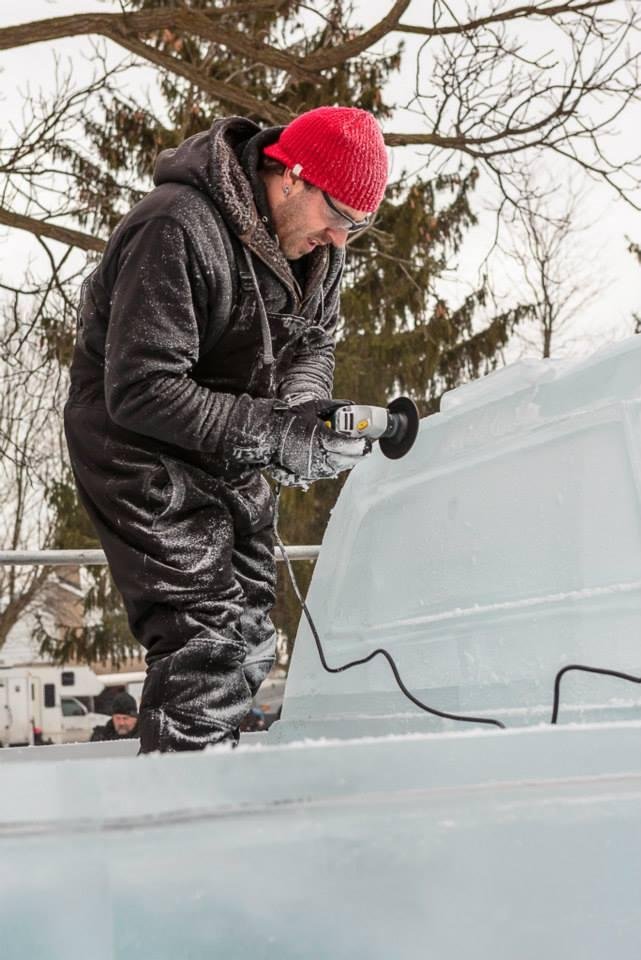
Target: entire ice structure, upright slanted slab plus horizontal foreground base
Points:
(506, 545)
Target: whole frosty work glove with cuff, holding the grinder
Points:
(292, 442)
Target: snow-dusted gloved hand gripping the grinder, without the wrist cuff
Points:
(308, 450)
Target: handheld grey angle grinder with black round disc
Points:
(394, 426)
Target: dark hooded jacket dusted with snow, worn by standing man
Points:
(170, 331)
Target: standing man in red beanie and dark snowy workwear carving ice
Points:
(205, 352)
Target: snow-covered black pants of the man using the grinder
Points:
(192, 555)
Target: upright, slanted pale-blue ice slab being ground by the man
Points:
(506, 545)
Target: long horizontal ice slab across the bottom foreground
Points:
(495, 845)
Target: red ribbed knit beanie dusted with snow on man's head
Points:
(338, 149)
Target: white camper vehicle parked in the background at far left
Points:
(38, 704)
